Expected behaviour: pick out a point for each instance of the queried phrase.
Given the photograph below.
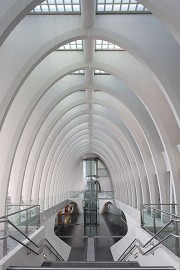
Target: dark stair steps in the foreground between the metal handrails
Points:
(51, 265)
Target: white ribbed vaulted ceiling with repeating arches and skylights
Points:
(89, 79)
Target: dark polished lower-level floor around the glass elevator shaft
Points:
(109, 230)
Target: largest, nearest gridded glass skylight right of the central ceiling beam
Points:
(120, 6)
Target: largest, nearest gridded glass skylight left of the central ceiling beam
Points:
(58, 6)
